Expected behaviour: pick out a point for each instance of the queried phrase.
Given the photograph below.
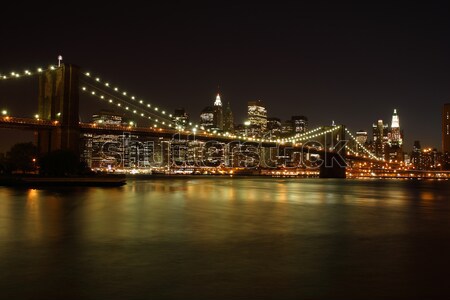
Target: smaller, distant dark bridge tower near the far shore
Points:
(334, 163)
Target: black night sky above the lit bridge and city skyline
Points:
(351, 63)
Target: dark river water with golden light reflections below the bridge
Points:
(228, 238)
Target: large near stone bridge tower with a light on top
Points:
(59, 102)
